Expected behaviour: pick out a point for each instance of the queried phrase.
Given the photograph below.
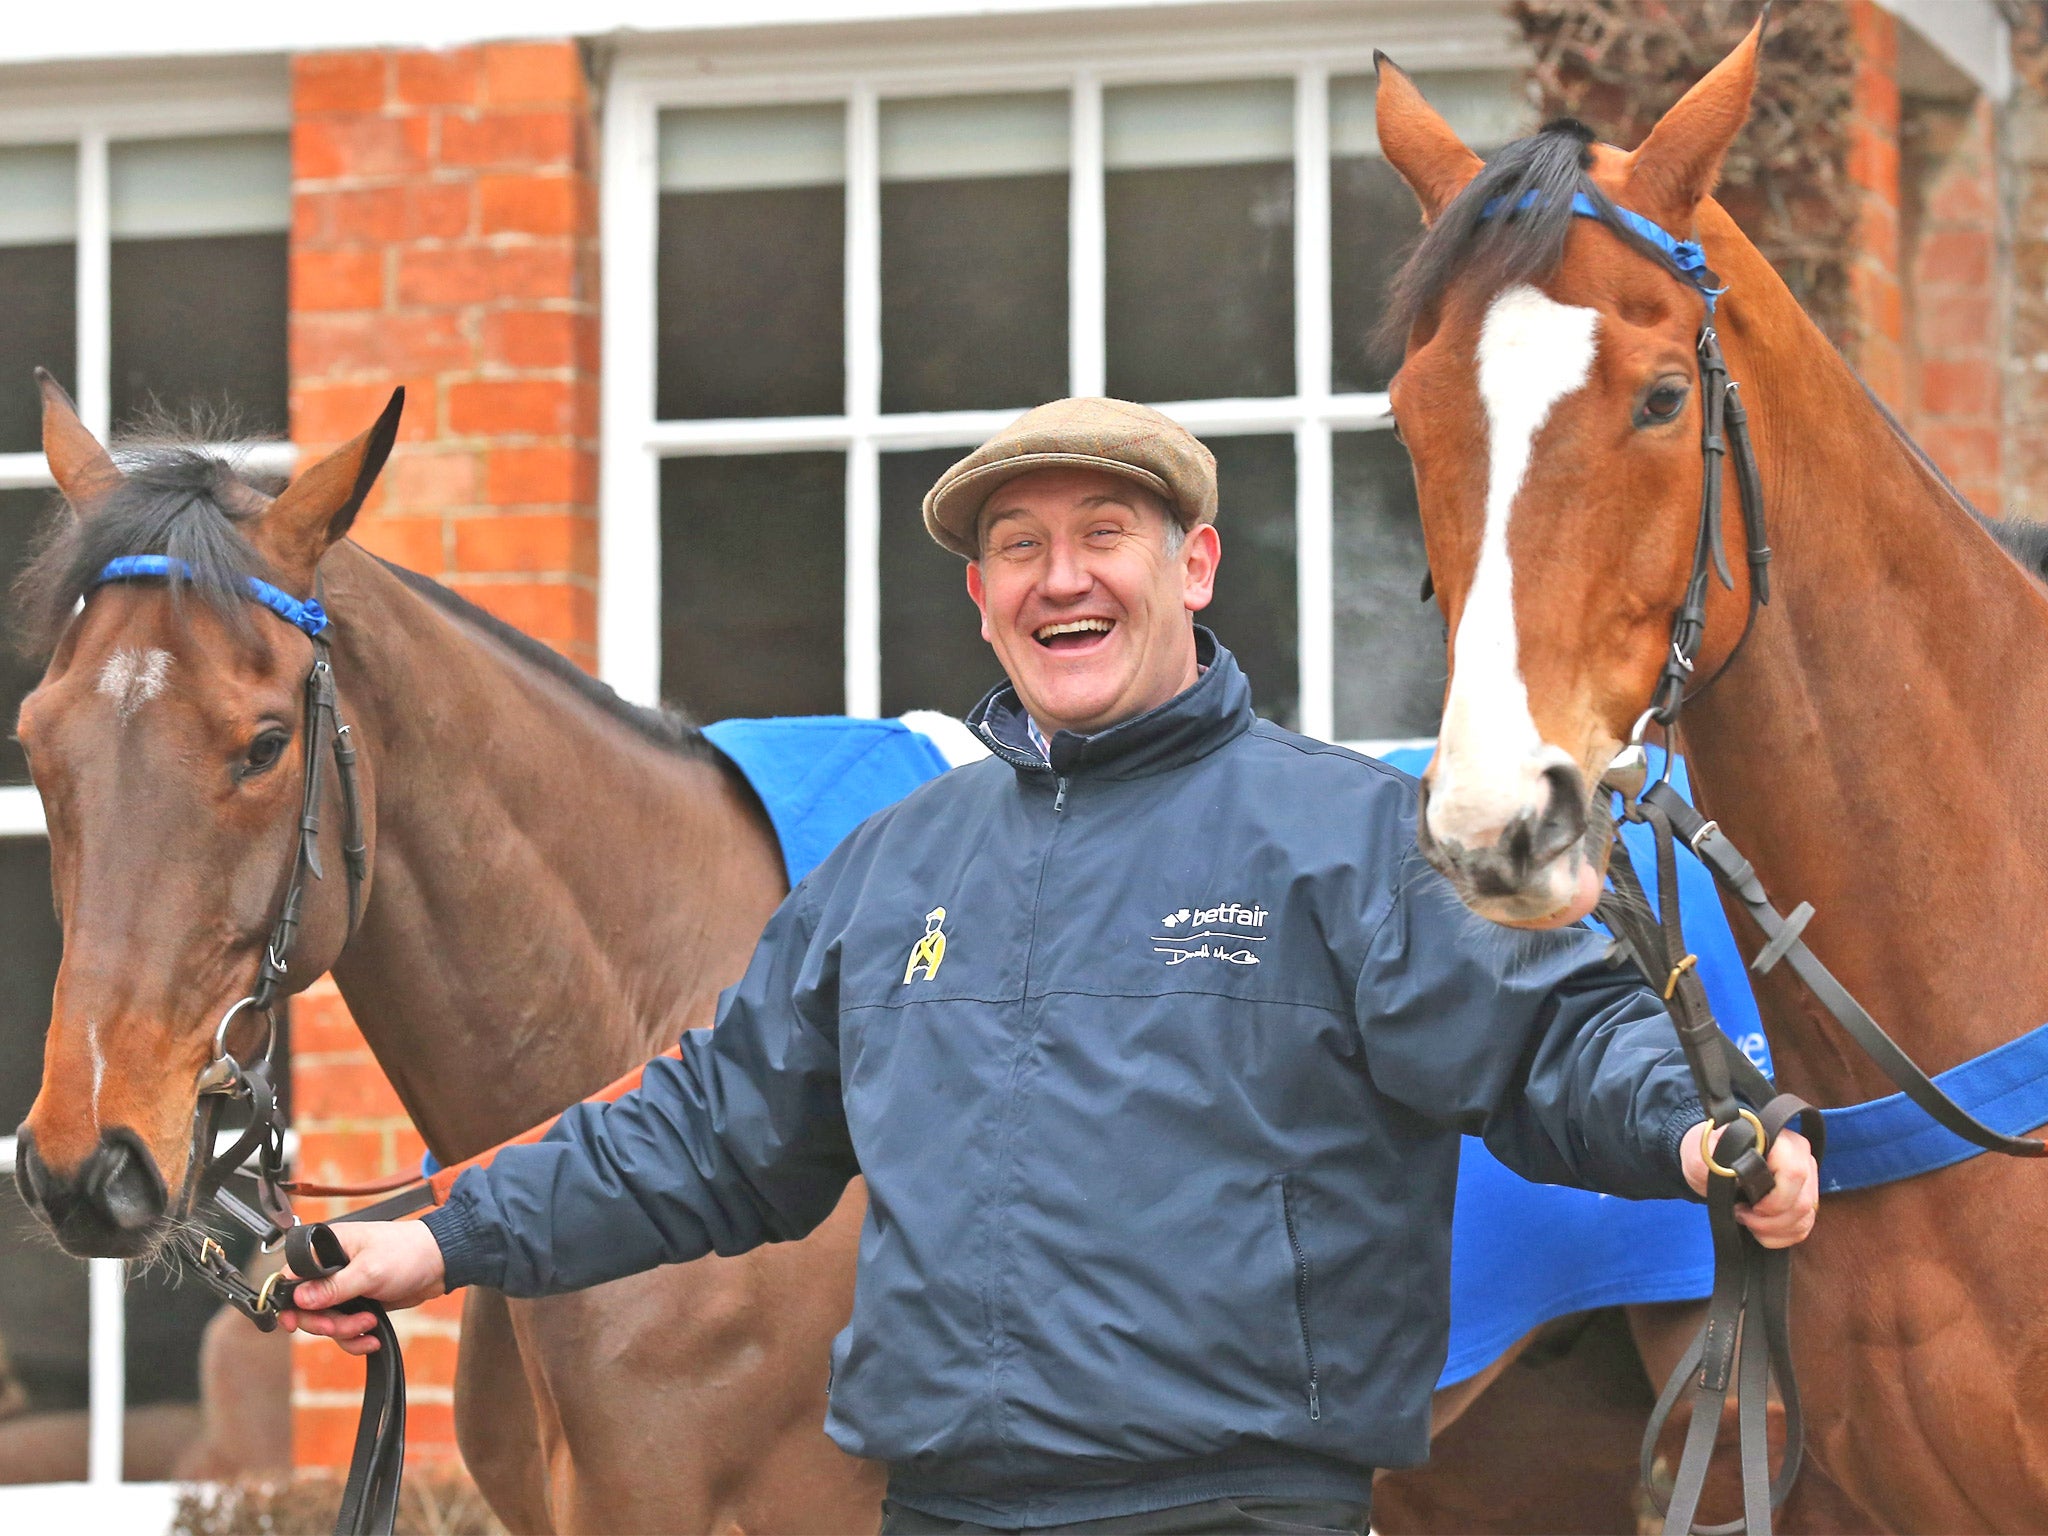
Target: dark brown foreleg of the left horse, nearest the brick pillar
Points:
(497, 1420)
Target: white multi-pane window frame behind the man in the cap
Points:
(1041, 54)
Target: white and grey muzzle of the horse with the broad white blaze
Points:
(1529, 857)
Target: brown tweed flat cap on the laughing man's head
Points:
(1089, 433)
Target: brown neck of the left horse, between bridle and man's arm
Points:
(554, 896)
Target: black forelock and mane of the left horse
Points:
(191, 505)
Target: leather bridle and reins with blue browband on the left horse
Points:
(370, 1498)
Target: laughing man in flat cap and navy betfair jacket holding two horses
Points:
(1154, 1039)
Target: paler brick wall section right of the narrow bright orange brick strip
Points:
(1951, 241)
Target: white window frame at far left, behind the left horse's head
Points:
(91, 110)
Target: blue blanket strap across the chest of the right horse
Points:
(1893, 1140)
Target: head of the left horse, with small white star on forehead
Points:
(169, 742)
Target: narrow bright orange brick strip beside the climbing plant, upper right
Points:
(1877, 294)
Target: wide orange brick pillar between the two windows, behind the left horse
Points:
(443, 239)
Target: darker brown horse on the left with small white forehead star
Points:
(558, 886)
